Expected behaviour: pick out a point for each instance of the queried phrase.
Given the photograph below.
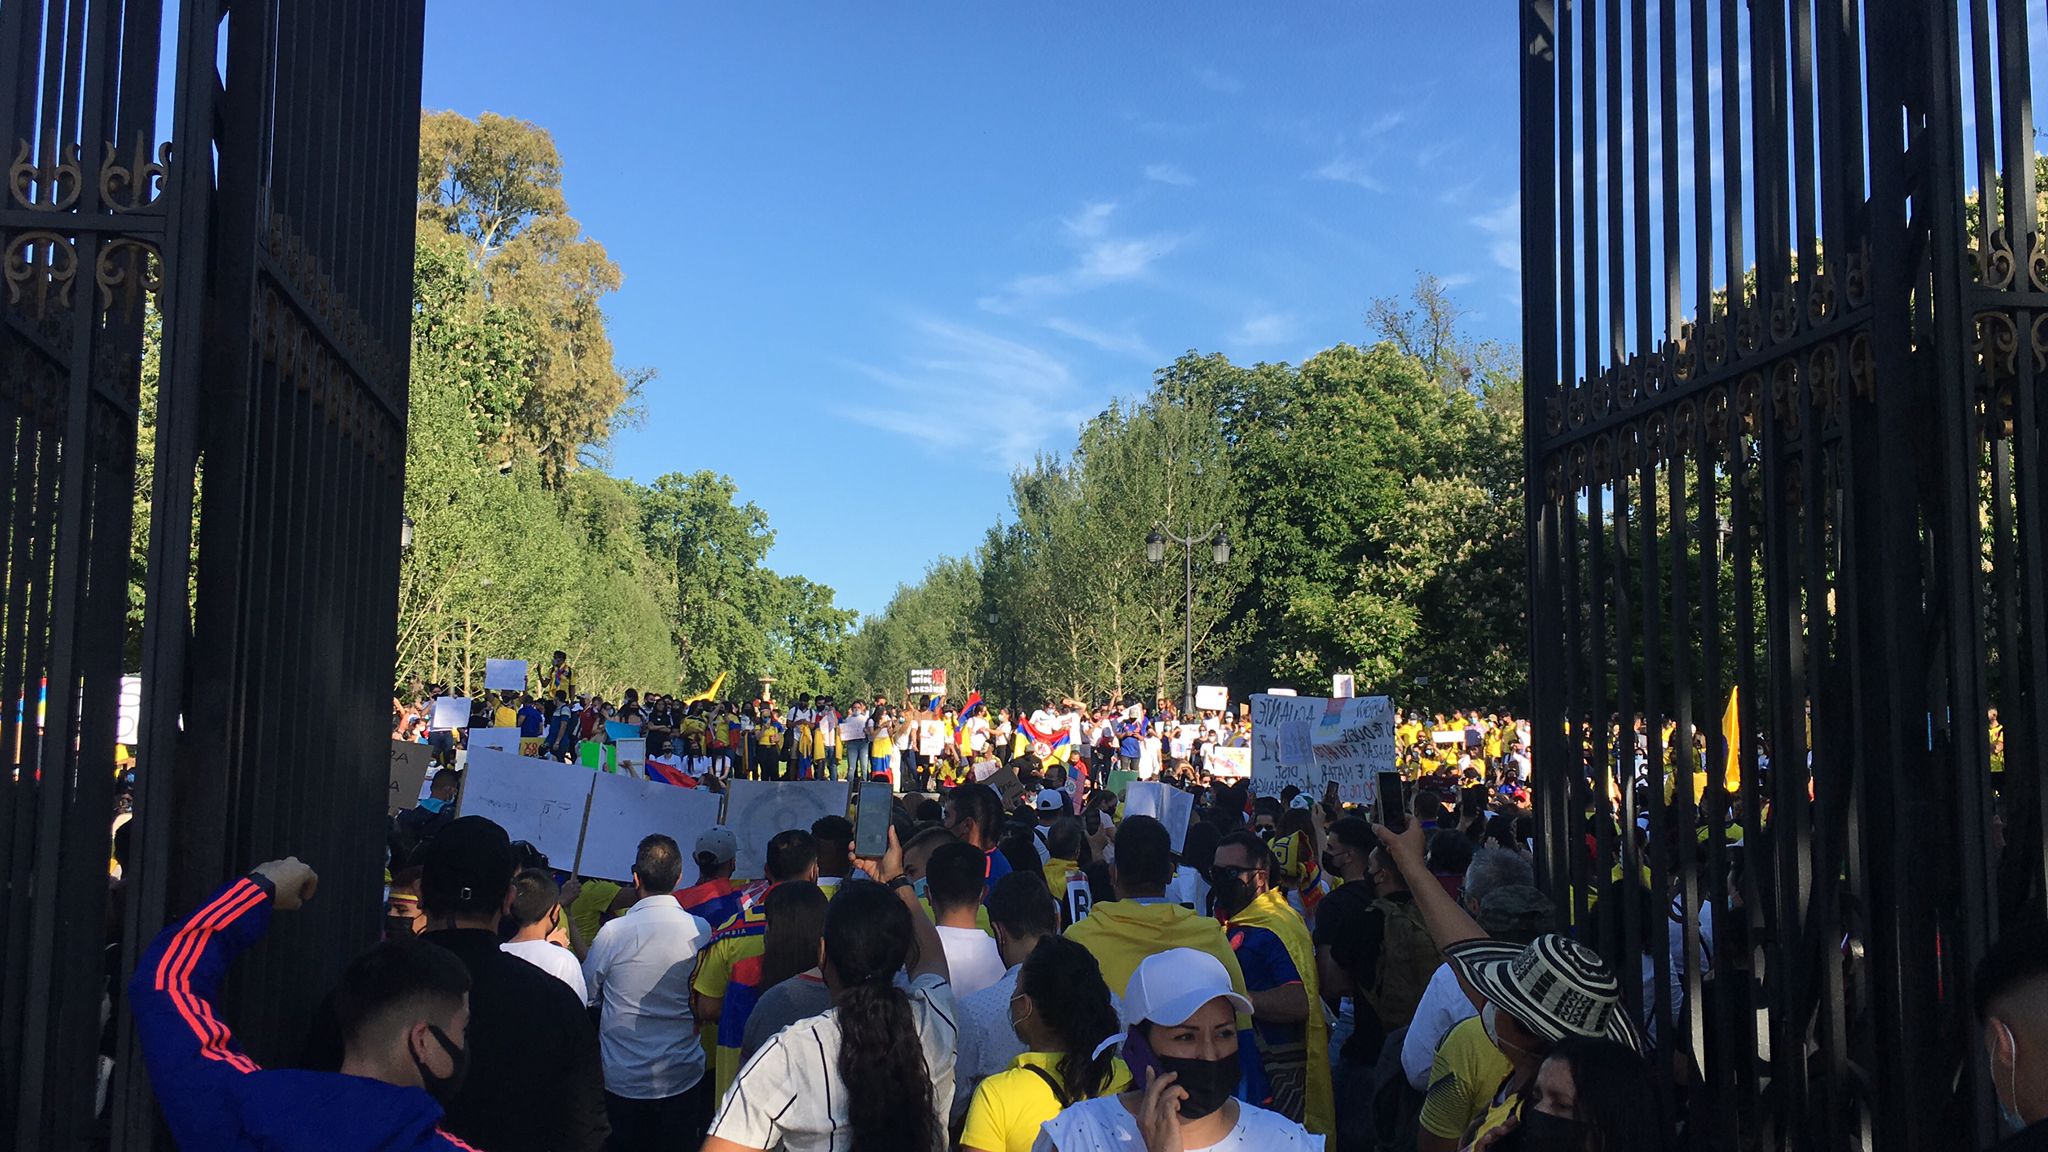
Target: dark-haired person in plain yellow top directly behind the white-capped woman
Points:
(1142, 921)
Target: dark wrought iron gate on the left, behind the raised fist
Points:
(275, 243)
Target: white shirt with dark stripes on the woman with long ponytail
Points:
(792, 1092)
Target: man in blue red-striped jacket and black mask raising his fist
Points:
(402, 1010)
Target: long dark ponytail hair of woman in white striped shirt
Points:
(882, 1057)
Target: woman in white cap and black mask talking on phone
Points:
(1183, 1055)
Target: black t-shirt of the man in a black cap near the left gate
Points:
(536, 1081)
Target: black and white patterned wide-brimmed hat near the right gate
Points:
(1553, 987)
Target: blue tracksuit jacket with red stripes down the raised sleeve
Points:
(218, 1098)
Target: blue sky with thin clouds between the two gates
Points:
(884, 253)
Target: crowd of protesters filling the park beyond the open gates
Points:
(1041, 975)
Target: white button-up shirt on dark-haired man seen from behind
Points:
(640, 973)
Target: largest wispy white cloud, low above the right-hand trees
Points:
(1023, 397)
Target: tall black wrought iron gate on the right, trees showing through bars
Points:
(1785, 505)
